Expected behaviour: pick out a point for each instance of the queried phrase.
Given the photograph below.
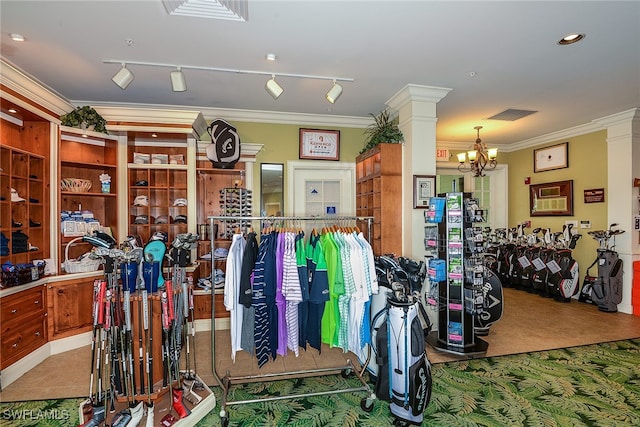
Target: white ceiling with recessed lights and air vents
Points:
(510, 46)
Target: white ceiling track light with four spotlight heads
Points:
(178, 82)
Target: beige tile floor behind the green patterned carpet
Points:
(529, 323)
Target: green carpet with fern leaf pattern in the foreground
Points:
(595, 385)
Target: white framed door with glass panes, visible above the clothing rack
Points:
(321, 188)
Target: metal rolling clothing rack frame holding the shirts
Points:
(225, 382)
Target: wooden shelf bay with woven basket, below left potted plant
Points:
(88, 155)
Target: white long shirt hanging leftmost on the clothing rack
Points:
(232, 289)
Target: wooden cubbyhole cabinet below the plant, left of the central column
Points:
(379, 194)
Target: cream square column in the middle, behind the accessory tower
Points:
(416, 106)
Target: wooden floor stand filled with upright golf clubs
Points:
(142, 325)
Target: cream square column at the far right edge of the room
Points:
(623, 165)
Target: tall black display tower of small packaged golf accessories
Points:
(460, 296)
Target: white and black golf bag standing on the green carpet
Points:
(404, 370)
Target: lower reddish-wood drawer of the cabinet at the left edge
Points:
(20, 339)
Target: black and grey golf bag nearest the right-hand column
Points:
(606, 289)
